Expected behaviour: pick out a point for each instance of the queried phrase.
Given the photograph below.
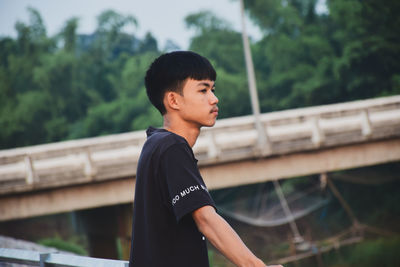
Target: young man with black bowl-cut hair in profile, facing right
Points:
(173, 211)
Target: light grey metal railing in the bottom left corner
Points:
(36, 258)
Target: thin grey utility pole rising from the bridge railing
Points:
(263, 144)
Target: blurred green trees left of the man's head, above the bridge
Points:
(83, 86)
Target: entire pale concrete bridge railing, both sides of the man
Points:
(116, 156)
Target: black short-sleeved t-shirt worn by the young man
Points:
(168, 188)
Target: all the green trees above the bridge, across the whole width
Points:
(73, 86)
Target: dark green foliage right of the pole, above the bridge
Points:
(310, 59)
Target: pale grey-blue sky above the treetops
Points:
(163, 18)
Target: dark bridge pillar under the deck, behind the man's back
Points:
(108, 230)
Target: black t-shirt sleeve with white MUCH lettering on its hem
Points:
(186, 189)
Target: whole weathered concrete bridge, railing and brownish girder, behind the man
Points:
(100, 171)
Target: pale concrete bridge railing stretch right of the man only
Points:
(302, 129)
